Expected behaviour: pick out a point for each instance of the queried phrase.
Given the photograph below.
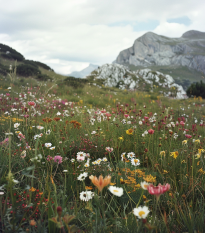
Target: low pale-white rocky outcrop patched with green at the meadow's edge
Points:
(115, 75)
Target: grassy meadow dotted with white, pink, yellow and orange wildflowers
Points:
(56, 141)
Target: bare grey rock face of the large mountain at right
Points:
(152, 49)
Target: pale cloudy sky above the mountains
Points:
(69, 34)
